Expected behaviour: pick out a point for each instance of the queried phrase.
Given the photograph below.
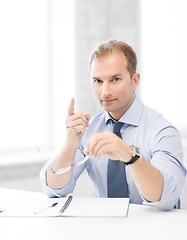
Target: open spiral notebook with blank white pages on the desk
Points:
(77, 207)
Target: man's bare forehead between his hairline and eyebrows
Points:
(110, 64)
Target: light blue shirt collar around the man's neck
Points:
(132, 116)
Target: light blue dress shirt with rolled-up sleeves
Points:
(159, 143)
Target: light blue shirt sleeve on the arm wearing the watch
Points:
(167, 157)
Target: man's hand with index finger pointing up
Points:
(76, 124)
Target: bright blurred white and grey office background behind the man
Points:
(45, 47)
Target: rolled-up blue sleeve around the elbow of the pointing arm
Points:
(68, 188)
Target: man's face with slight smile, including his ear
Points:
(112, 83)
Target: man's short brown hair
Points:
(113, 45)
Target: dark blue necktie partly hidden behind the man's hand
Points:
(116, 177)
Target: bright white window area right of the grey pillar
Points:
(163, 59)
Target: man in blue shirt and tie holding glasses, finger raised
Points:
(141, 160)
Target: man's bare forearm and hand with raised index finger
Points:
(76, 126)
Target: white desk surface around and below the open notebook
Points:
(143, 222)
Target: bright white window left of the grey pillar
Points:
(37, 72)
